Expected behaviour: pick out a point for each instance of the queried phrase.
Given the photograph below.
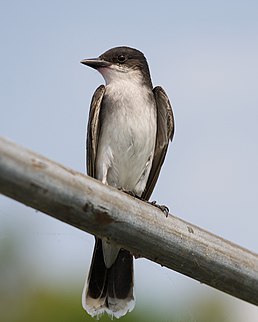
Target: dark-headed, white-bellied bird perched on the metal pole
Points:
(129, 128)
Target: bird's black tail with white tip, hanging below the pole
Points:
(109, 290)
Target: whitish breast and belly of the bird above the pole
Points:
(127, 138)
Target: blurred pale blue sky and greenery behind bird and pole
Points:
(204, 54)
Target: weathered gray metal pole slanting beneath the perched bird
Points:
(137, 226)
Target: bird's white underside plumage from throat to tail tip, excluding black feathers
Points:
(124, 158)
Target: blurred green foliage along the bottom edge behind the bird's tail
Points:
(60, 306)
